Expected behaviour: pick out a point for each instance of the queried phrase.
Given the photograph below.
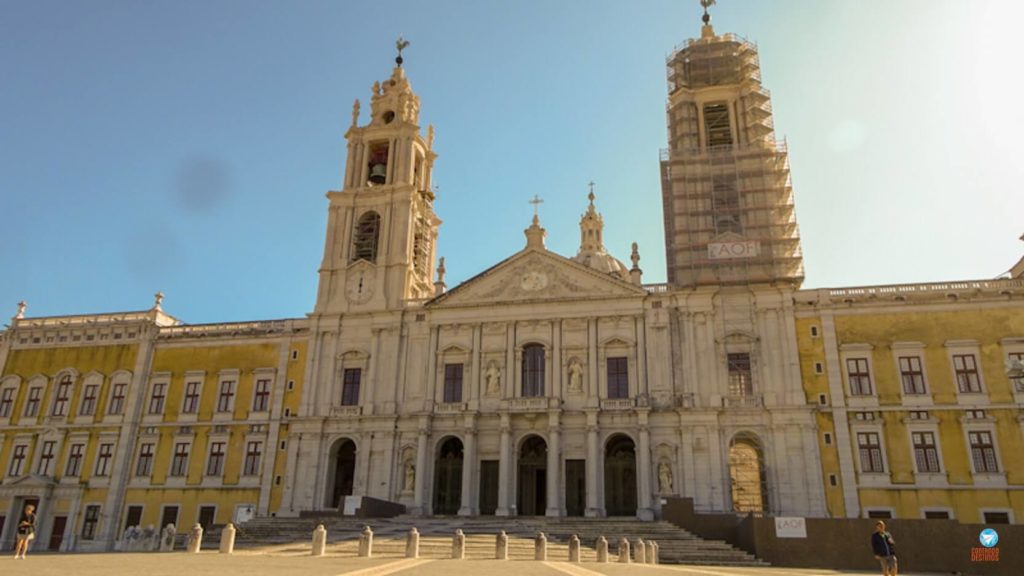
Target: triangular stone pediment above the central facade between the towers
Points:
(535, 275)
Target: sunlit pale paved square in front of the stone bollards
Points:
(212, 564)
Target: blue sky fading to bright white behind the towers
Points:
(187, 147)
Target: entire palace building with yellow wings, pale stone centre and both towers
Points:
(547, 385)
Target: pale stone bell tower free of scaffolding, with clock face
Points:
(382, 230)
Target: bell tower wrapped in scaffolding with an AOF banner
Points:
(730, 216)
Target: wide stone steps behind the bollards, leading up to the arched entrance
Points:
(293, 537)
